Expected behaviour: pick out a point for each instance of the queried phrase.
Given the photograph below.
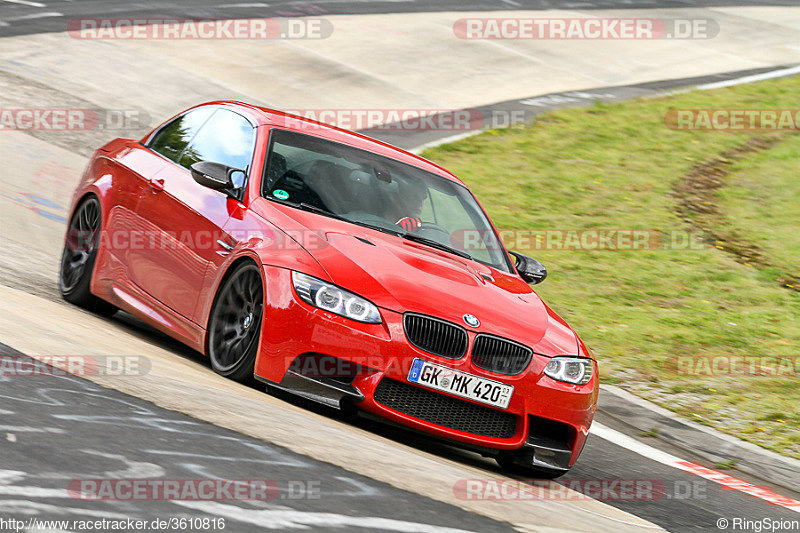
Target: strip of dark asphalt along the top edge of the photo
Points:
(20, 17)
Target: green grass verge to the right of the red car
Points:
(614, 166)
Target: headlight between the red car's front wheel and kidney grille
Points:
(331, 298)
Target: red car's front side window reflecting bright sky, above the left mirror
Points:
(226, 138)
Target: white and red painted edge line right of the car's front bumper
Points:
(727, 481)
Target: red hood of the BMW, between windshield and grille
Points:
(405, 276)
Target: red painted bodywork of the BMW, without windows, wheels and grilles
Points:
(172, 284)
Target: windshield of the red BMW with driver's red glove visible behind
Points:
(376, 191)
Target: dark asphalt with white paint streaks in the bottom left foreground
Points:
(59, 431)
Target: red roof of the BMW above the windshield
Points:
(265, 116)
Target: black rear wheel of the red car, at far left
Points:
(78, 257)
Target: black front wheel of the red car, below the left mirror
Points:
(235, 324)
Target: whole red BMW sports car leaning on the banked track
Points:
(337, 267)
